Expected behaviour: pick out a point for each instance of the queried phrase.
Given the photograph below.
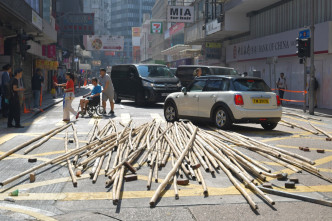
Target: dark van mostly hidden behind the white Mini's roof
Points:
(185, 72)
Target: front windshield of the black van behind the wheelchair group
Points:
(154, 71)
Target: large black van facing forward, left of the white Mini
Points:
(143, 83)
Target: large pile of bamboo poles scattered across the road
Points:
(189, 149)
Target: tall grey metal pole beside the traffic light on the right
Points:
(312, 62)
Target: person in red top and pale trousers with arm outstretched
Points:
(69, 97)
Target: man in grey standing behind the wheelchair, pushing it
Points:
(108, 90)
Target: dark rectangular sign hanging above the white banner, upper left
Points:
(78, 24)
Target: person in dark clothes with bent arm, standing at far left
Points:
(14, 102)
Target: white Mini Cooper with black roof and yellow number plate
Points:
(225, 100)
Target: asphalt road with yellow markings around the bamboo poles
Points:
(52, 195)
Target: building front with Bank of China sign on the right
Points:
(269, 45)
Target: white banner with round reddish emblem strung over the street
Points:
(103, 43)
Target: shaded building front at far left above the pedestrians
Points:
(34, 21)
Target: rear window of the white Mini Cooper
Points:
(251, 85)
